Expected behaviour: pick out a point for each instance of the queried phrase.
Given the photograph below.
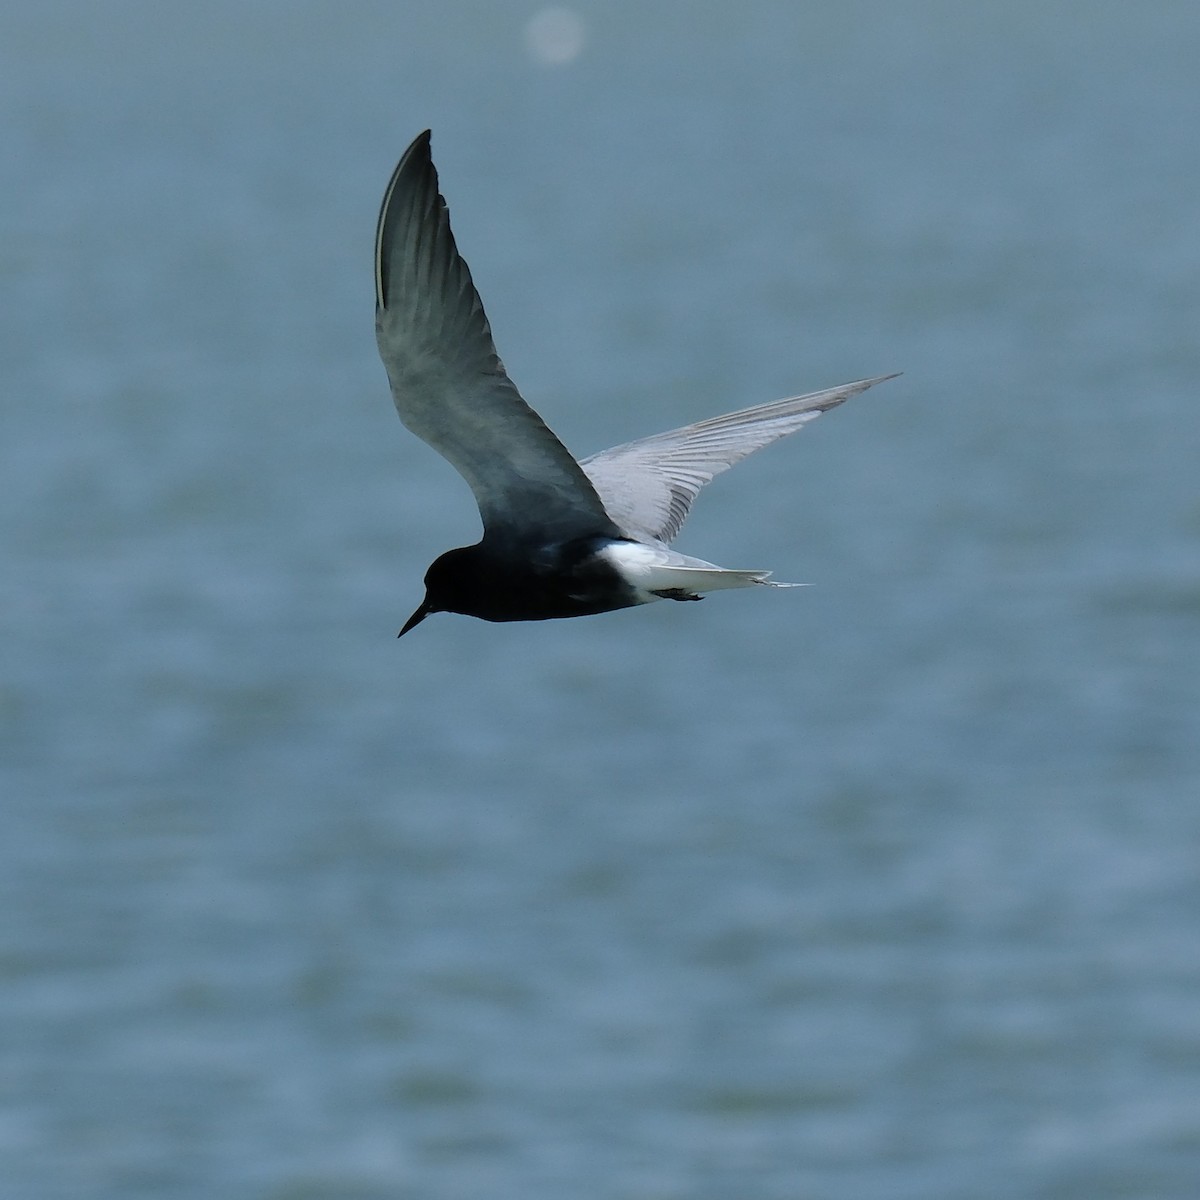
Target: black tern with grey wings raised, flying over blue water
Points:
(561, 538)
